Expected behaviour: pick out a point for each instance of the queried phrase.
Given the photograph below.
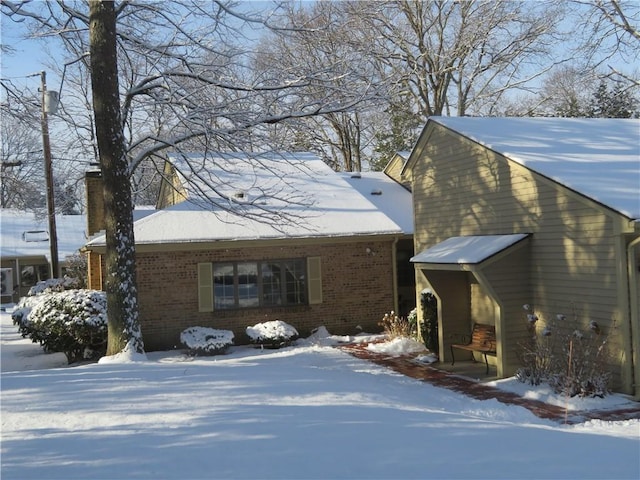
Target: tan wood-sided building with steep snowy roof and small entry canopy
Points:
(539, 211)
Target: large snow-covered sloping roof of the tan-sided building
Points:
(597, 157)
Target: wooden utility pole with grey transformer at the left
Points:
(49, 105)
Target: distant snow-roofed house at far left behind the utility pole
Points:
(25, 253)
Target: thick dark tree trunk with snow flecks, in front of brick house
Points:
(120, 283)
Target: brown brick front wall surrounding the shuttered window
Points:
(357, 286)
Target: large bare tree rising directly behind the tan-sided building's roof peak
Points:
(462, 57)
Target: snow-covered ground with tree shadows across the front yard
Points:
(308, 411)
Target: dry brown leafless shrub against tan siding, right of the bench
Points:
(572, 363)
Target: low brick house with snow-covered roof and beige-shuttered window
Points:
(240, 240)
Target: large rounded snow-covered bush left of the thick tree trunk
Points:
(72, 321)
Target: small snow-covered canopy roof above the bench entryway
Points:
(469, 250)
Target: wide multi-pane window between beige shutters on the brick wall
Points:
(254, 284)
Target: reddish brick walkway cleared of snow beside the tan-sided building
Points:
(467, 386)
